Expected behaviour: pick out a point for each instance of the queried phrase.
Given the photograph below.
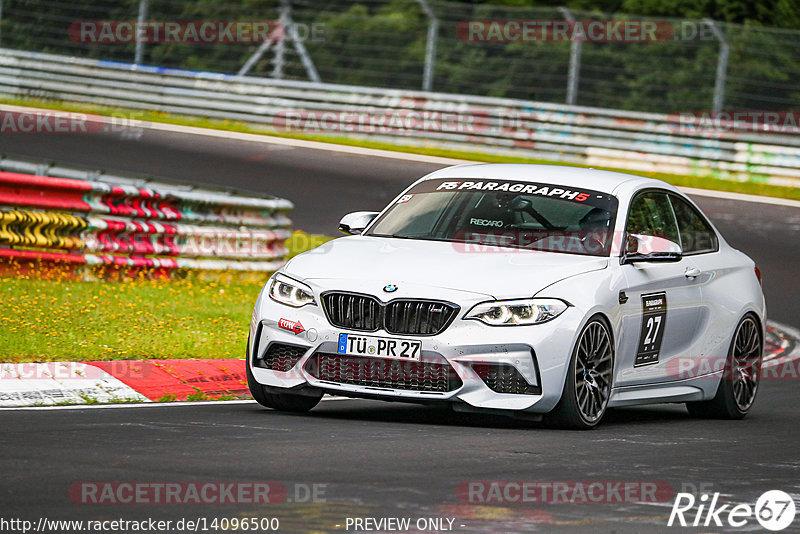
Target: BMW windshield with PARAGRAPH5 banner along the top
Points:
(502, 213)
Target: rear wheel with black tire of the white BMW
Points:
(739, 384)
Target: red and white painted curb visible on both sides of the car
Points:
(48, 384)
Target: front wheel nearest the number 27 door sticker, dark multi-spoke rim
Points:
(587, 387)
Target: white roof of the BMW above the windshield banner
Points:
(578, 177)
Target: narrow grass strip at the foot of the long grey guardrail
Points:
(701, 182)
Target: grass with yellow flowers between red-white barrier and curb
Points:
(62, 319)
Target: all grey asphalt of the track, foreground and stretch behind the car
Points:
(374, 459)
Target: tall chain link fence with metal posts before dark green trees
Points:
(434, 46)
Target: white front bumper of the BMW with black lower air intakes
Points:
(468, 350)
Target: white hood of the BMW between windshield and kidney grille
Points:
(369, 263)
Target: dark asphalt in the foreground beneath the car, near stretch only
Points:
(382, 459)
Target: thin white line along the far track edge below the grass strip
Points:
(374, 152)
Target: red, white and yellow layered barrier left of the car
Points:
(150, 225)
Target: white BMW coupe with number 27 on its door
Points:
(528, 290)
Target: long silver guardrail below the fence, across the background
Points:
(592, 136)
